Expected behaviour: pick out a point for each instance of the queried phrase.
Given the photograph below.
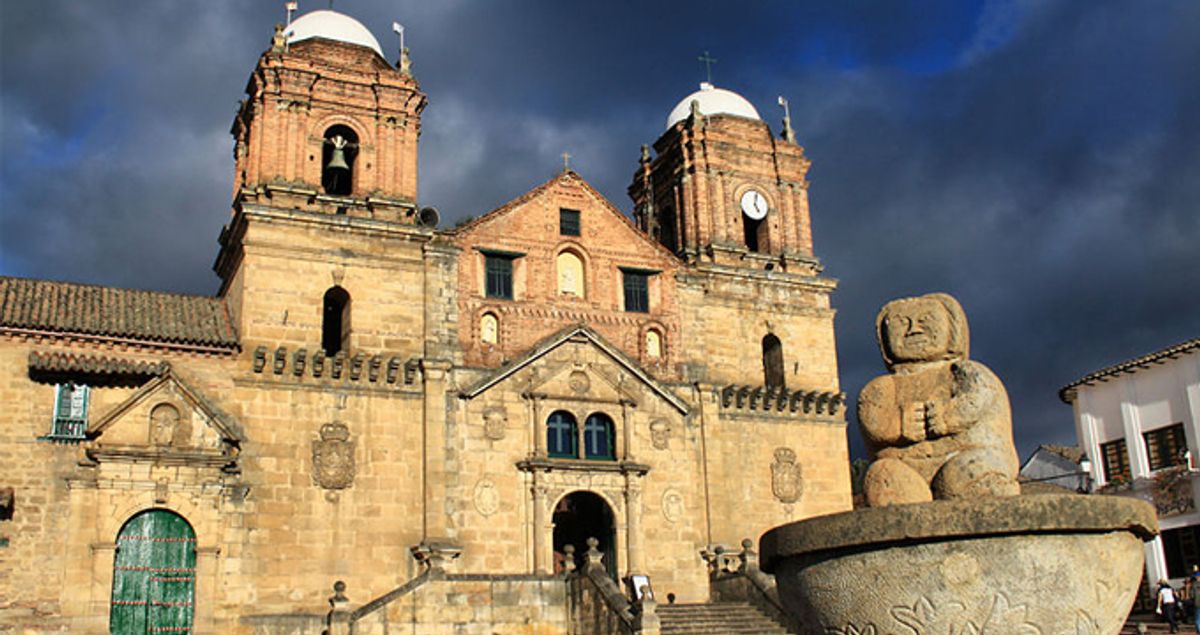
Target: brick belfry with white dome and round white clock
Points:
(722, 189)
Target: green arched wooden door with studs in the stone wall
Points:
(154, 576)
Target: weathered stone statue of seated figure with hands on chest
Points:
(939, 427)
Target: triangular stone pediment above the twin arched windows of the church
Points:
(577, 363)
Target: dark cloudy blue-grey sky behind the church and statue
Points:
(1039, 160)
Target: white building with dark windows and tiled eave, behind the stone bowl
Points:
(1139, 423)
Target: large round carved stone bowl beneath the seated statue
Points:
(1041, 565)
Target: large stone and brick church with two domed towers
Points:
(439, 418)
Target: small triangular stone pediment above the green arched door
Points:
(166, 418)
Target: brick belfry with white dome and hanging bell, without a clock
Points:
(329, 125)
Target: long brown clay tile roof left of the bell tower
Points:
(73, 309)
